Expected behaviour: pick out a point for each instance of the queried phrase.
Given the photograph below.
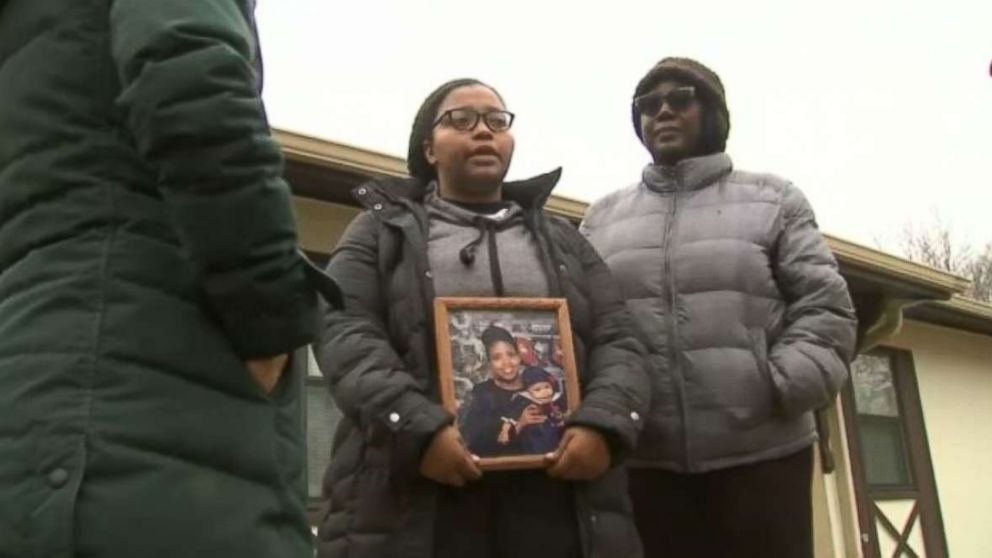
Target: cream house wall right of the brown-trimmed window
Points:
(954, 372)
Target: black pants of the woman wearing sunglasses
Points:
(760, 510)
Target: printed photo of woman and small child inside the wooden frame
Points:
(511, 397)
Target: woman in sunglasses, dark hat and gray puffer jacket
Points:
(749, 326)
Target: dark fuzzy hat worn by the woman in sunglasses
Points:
(716, 116)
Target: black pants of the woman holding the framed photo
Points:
(520, 514)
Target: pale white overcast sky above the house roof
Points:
(881, 111)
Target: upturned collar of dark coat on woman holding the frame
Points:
(531, 193)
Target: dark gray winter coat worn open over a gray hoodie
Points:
(378, 356)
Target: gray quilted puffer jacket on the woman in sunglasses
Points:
(738, 298)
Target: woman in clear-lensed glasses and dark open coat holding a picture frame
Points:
(402, 481)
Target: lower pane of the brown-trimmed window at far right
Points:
(884, 451)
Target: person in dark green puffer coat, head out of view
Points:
(150, 287)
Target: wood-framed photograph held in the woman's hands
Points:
(507, 373)
